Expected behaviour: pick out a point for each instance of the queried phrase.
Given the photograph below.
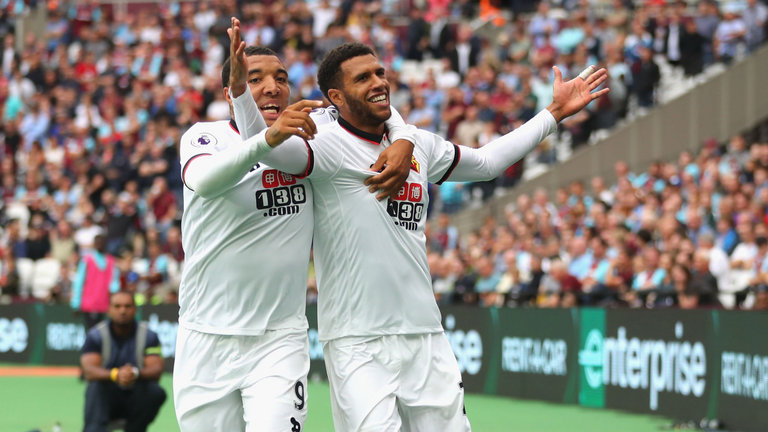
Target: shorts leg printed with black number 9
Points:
(275, 392)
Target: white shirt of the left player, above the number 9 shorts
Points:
(247, 250)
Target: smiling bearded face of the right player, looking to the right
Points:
(365, 92)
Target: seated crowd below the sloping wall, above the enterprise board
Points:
(687, 233)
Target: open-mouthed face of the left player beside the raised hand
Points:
(268, 81)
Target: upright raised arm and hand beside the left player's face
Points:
(247, 115)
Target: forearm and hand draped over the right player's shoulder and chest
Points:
(394, 163)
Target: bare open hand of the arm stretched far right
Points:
(572, 96)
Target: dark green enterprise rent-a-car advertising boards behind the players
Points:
(681, 364)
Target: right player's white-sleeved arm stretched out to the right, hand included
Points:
(491, 160)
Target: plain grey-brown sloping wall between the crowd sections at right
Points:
(725, 105)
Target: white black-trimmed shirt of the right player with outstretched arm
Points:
(370, 255)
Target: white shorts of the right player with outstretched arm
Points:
(395, 383)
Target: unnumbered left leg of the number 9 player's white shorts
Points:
(205, 391)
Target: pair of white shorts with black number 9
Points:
(241, 383)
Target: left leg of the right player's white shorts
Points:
(362, 384)
